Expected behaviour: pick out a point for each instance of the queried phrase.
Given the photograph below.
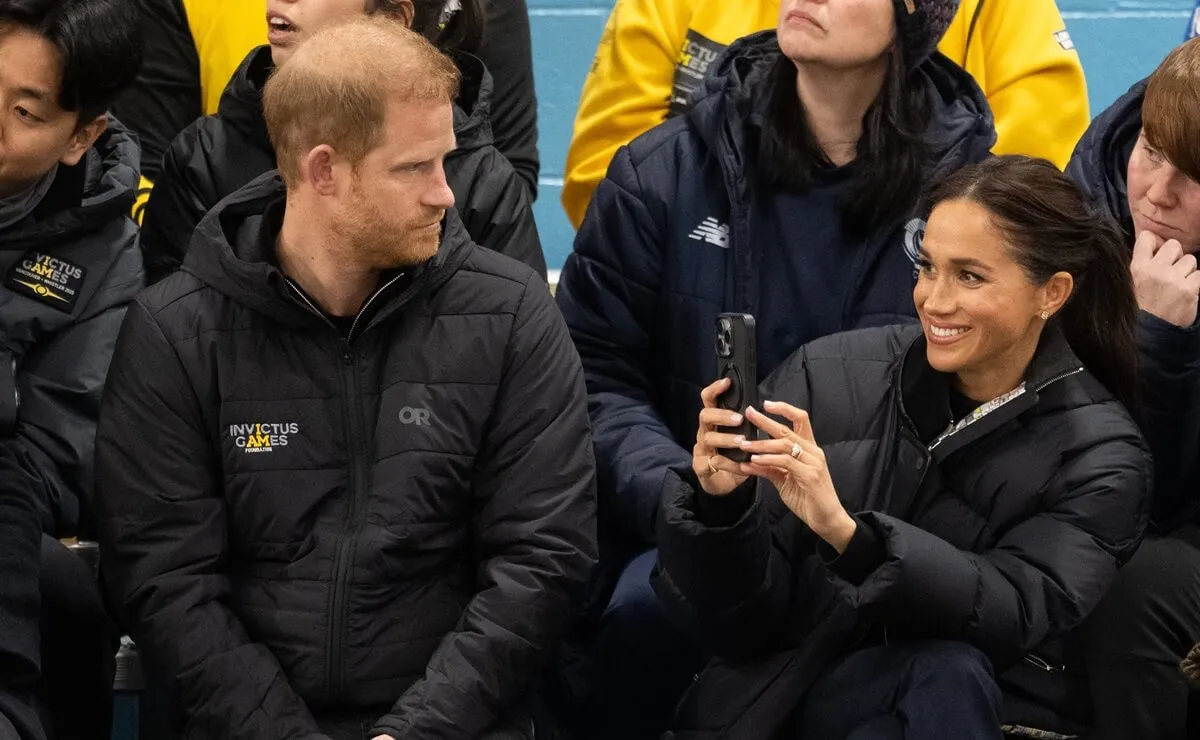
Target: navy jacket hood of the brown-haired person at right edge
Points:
(1102, 157)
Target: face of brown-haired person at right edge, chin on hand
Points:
(1162, 200)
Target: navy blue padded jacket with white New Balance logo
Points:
(669, 243)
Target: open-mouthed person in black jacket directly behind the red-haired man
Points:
(218, 155)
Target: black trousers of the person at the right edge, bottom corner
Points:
(1137, 637)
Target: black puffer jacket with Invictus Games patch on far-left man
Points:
(69, 272)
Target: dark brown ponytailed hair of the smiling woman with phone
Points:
(1051, 228)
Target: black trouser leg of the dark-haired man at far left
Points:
(79, 648)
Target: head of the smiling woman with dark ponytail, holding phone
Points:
(991, 282)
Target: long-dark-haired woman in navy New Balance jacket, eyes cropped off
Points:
(790, 191)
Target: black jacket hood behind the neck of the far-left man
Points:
(87, 197)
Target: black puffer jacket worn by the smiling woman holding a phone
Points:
(1003, 534)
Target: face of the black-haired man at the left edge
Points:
(35, 133)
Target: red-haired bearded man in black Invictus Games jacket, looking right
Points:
(345, 478)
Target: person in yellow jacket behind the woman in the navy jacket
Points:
(655, 53)
